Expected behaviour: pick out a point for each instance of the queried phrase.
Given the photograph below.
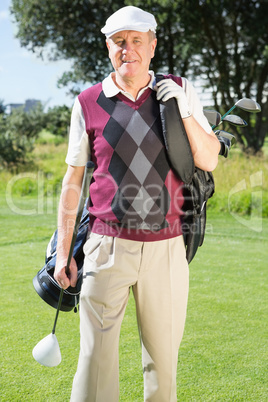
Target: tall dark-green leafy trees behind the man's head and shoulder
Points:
(223, 42)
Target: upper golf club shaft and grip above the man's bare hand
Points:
(89, 169)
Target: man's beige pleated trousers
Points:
(159, 276)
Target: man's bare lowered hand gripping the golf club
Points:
(63, 279)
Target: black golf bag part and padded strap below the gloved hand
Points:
(198, 184)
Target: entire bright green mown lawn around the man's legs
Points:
(223, 355)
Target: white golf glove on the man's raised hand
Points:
(167, 89)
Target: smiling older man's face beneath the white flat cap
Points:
(130, 53)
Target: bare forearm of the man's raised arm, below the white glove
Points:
(205, 147)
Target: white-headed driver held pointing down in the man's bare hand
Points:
(47, 351)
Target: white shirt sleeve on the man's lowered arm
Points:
(78, 149)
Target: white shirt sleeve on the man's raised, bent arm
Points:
(195, 105)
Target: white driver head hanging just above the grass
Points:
(47, 351)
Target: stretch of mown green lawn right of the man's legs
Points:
(225, 335)
